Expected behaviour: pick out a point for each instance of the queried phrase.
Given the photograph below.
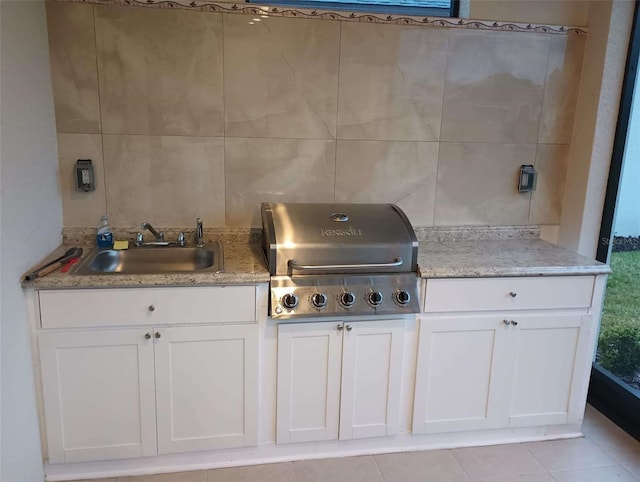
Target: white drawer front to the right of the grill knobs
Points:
(488, 294)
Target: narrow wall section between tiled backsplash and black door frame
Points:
(595, 123)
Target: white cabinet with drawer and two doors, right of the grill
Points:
(485, 368)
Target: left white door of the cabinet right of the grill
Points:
(462, 374)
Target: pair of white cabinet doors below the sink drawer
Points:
(119, 393)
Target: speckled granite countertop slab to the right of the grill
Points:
(502, 257)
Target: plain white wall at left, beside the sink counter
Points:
(30, 216)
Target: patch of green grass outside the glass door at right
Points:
(622, 300)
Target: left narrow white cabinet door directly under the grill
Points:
(308, 391)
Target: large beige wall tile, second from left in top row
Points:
(160, 71)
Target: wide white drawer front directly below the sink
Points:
(146, 306)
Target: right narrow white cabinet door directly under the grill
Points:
(371, 376)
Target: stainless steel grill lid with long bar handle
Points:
(337, 238)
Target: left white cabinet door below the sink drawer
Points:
(99, 395)
